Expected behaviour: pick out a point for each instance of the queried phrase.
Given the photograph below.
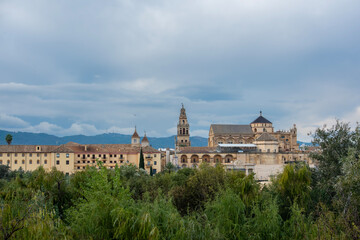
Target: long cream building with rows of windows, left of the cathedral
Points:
(72, 157)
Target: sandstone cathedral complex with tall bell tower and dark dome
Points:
(251, 148)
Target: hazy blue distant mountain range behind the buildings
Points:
(25, 138)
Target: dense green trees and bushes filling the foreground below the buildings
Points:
(204, 203)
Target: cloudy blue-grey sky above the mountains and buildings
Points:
(90, 67)
